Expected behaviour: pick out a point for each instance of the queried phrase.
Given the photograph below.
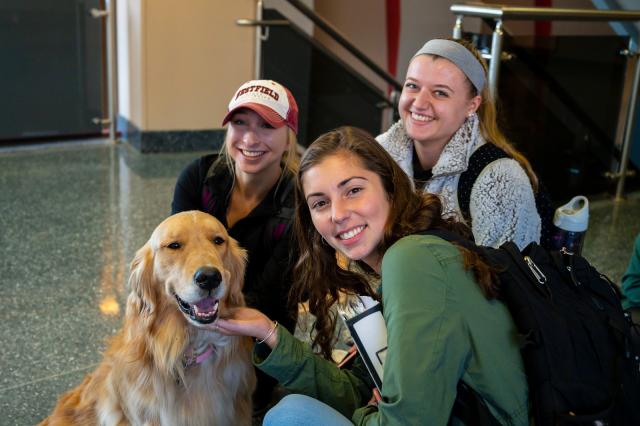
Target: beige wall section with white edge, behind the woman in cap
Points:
(179, 62)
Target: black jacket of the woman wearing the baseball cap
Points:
(265, 232)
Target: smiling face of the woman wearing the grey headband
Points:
(435, 100)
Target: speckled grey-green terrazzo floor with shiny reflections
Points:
(71, 218)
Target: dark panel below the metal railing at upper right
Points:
(559, 104)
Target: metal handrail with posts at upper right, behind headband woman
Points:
(500, 13)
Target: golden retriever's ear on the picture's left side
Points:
(143, 298)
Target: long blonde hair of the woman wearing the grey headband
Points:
(488, 115)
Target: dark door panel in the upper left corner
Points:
(51, 68)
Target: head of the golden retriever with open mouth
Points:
(191, 260)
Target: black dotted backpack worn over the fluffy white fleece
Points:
(481, 158)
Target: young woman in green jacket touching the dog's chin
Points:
(443, 322)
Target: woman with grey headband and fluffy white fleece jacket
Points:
(446, 114)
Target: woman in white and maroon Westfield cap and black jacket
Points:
(248, 186)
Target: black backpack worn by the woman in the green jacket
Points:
(581, 357)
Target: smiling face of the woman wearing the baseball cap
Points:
(254, 145)
